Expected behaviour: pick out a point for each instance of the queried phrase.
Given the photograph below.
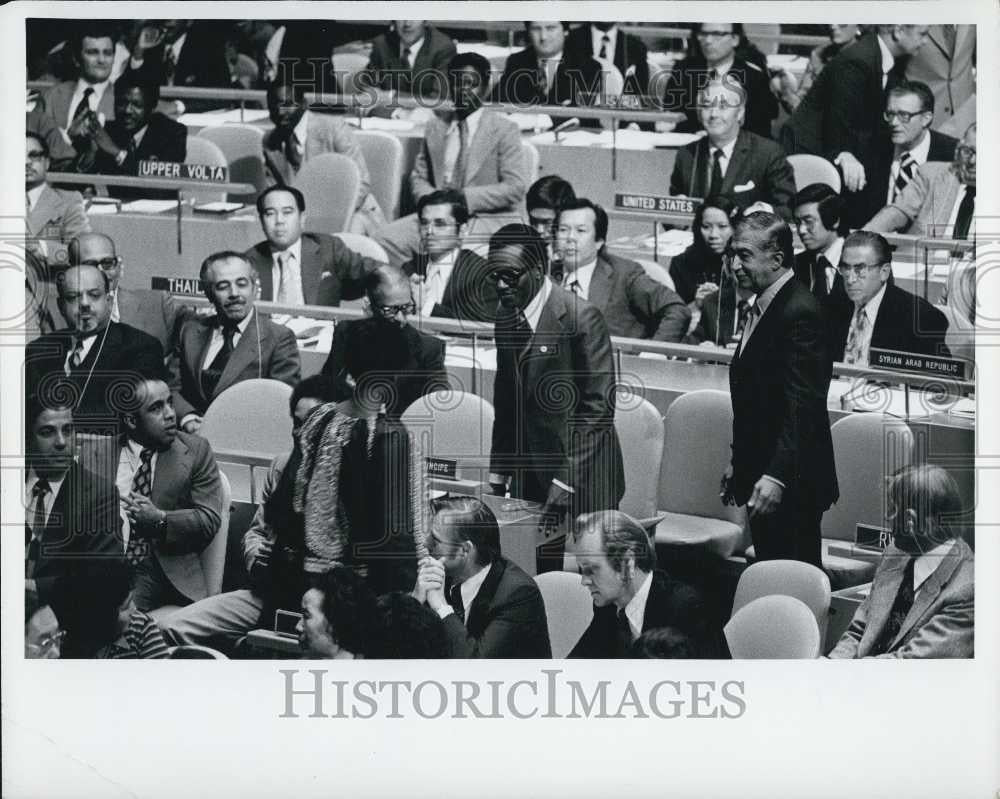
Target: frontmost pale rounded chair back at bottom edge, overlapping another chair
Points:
(774, 627)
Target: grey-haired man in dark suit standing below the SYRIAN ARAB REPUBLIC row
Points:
(782, 465)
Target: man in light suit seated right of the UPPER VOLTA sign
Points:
(300, 134)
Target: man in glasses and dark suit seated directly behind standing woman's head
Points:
(390, 299)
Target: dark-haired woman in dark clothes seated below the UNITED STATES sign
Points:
(696, 272)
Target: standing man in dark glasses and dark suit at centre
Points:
(554, 440)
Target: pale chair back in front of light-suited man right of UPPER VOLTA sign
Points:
(330, 183)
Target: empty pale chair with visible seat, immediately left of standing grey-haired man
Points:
(698, 430)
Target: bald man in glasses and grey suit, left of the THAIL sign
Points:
(153, 312)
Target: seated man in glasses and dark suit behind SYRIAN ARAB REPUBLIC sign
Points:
(881, 314)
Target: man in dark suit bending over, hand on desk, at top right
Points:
(841, 116)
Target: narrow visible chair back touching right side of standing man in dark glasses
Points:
(640, 430)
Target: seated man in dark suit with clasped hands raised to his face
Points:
(490, 607)
